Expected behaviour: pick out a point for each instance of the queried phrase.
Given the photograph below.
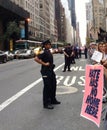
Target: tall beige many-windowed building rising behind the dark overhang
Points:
(41, 21)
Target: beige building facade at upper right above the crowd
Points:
(96, 23)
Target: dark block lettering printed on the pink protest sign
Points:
(93, 102)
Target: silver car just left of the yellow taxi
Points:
(23, 54)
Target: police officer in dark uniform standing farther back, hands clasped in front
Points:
(67, 53)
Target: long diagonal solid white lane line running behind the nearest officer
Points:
(20, 93)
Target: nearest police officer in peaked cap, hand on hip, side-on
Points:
(48, 75)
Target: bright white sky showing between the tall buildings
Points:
(80, 16)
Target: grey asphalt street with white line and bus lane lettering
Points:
(21, 97)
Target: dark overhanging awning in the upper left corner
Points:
(9, 10)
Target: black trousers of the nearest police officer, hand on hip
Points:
(49, 89)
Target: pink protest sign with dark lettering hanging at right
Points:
(92, 100)
